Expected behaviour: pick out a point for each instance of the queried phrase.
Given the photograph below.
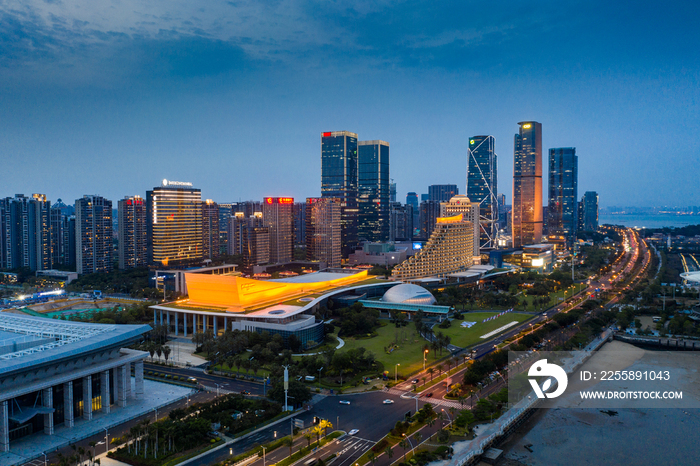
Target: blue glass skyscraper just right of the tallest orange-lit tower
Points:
(563, 193)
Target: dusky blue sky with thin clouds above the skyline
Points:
(110, 97)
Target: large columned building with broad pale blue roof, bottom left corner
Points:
(56, 375)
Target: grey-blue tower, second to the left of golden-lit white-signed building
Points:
(93, 236)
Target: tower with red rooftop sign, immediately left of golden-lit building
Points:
(133, 234)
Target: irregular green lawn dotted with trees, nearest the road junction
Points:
(409, 353)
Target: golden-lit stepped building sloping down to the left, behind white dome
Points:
(449, 250)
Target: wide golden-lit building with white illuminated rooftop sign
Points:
(174, 212)
